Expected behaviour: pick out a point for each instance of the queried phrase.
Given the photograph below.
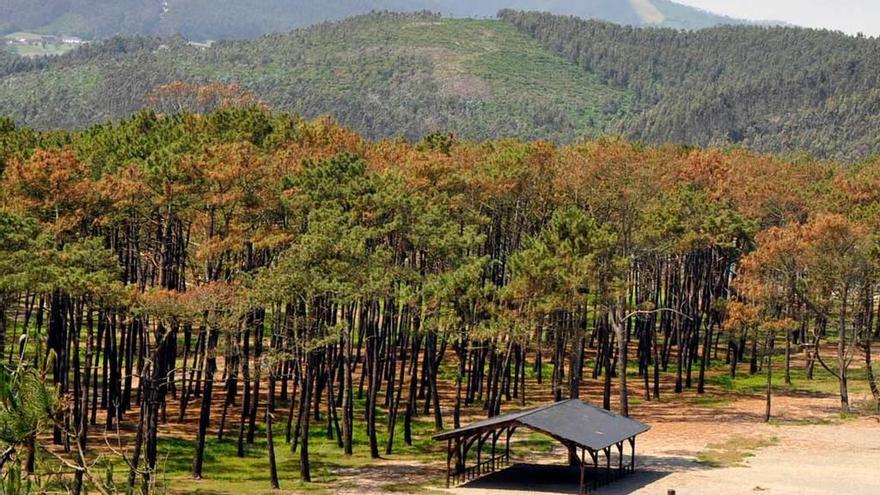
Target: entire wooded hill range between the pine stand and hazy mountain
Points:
(527, 75)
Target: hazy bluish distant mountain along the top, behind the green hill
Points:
(236, 19)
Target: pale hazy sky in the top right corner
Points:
(851, 16)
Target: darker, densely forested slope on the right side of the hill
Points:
(773, 89)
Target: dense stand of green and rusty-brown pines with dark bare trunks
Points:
(242, 267)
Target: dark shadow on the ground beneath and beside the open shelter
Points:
(556, 479)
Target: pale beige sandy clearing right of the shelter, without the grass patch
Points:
(839, 458)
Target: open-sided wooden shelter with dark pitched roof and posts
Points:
(588, 432)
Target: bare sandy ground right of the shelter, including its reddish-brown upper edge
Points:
(806, 459)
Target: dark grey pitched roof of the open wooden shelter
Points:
(571, 420)
